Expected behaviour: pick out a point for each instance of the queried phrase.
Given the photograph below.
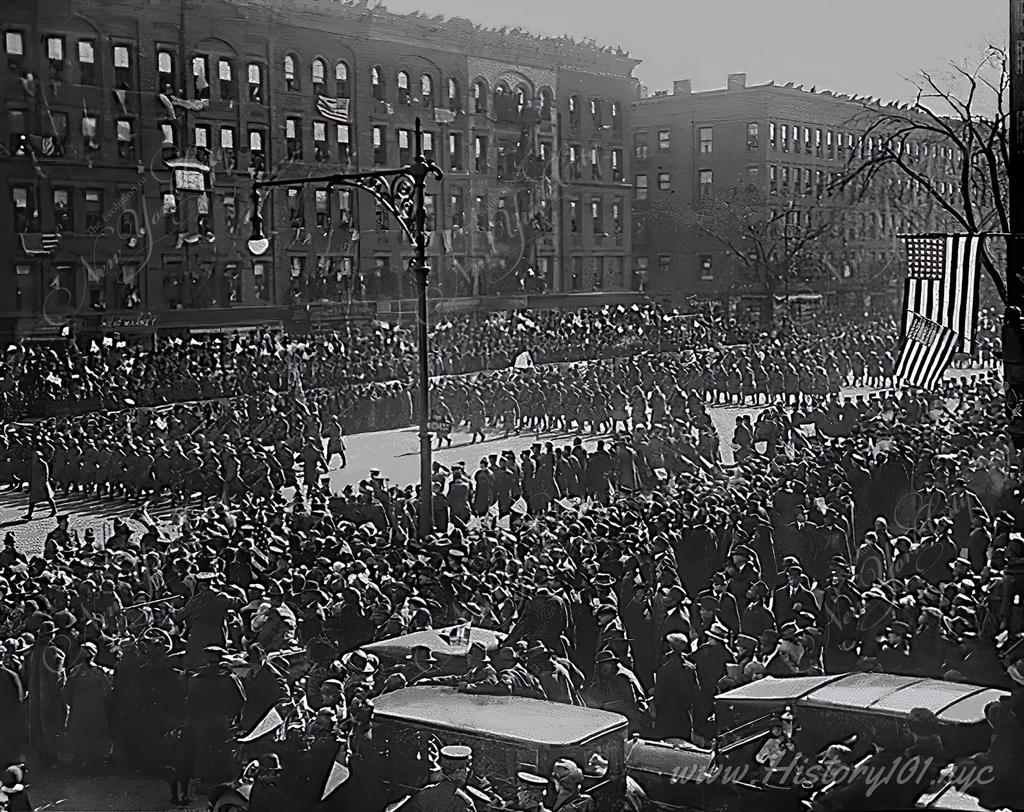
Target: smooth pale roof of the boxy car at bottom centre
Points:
(518, 718)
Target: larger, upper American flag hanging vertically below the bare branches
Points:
(943, 284)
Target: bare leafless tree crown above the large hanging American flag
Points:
(950, 150)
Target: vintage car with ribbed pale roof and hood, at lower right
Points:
(812, 713)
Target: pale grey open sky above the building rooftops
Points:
(869, 48)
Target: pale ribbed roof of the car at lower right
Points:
(951, 702)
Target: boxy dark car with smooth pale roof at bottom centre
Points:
(507, 735)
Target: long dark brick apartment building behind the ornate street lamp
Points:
(133, 131)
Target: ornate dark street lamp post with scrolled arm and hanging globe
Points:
(401, 192)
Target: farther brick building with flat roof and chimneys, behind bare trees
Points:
(790, 145)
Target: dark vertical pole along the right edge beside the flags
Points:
(1013, 333)
